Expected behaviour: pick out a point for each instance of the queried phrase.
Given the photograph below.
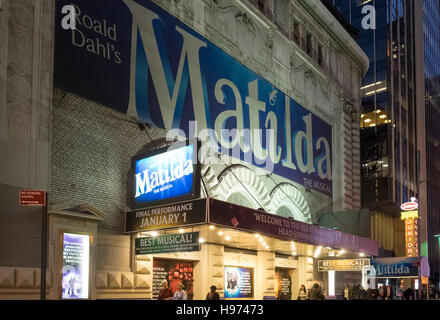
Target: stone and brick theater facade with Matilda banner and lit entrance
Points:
(197, 142)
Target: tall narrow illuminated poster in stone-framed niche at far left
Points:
(75, 266)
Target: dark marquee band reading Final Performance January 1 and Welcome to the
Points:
(213, 211)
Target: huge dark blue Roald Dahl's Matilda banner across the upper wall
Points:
(135, 57)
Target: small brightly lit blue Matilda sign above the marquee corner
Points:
(163, 176)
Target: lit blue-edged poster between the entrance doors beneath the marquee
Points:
(239, 282)
